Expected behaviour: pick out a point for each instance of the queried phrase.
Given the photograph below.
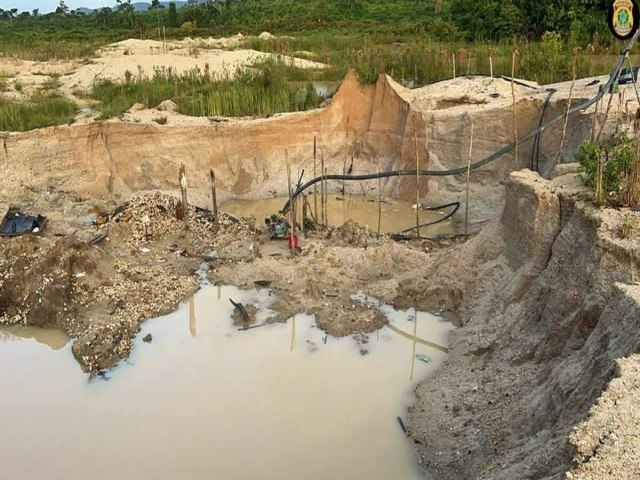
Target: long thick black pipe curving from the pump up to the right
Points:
(481, 163)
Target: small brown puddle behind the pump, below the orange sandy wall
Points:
(396, 216)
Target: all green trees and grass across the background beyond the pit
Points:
(419, 40)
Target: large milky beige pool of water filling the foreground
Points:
(205, 400)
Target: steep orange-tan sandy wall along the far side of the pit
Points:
(369, 123)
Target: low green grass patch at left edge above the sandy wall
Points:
(40, 111)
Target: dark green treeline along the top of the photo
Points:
(437, 20)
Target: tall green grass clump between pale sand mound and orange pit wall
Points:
(262, 90)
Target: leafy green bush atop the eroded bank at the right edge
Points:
(612, 170)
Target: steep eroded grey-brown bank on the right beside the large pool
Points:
(548, 301)
